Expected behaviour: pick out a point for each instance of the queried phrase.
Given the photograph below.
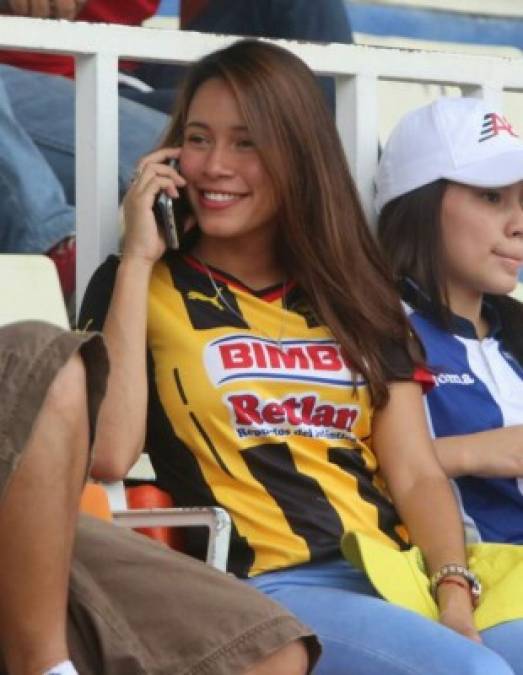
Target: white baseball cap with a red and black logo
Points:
(461, 139)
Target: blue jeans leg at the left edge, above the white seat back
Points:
(34, 214)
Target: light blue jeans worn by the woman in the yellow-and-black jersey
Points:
(365, 635)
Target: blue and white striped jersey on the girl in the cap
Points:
(479, 386)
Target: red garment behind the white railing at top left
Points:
(127, 12)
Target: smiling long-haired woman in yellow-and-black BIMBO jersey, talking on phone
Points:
(269, 367)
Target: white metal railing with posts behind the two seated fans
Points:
(358, 70)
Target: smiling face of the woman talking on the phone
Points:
(227, 183)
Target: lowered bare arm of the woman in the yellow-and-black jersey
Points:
(422, 495)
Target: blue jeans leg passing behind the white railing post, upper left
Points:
(44, 107)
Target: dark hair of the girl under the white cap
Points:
(409, 231)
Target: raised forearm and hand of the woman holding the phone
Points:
(120, 431)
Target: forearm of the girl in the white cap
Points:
(496, 453)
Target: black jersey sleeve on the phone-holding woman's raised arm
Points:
(95, 303)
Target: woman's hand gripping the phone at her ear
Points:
(153, 175)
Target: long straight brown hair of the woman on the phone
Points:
(325, 241)
